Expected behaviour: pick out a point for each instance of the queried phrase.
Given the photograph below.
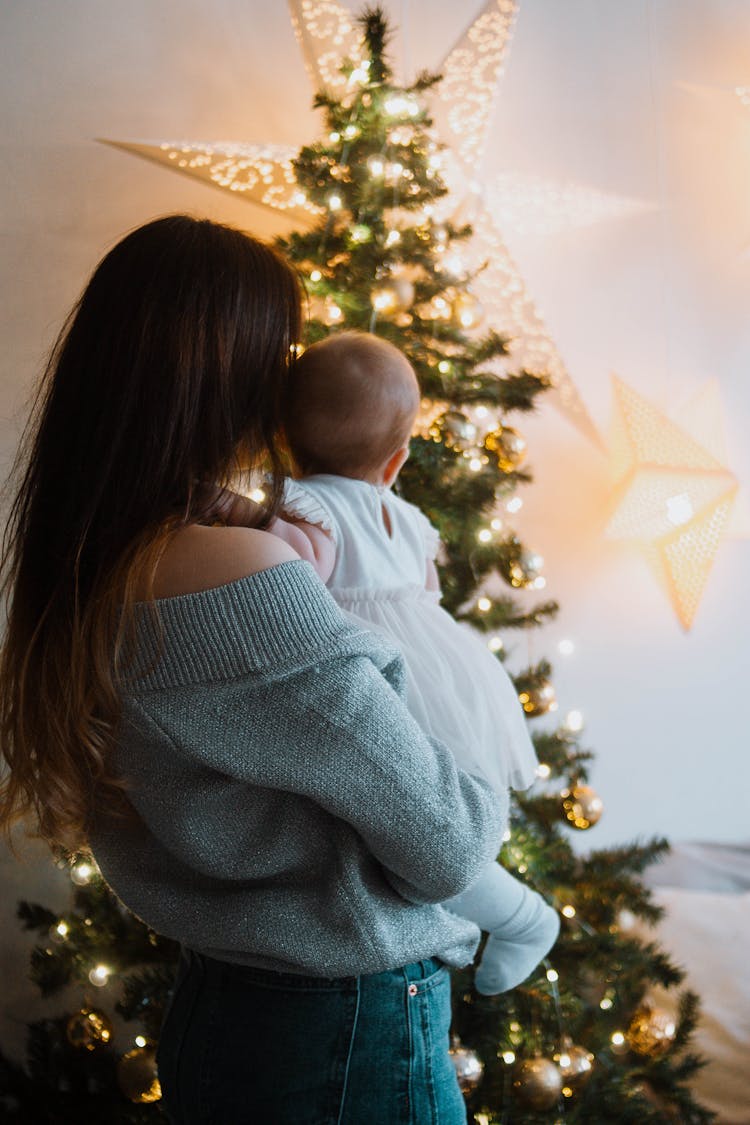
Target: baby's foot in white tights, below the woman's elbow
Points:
(509, 961)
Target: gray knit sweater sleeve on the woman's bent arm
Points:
(342, 737)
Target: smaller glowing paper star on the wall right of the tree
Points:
(674, 494)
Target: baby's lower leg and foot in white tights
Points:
(522, 929)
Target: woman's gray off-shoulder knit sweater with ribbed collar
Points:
(284, 808)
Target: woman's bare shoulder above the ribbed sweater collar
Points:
(200, 559)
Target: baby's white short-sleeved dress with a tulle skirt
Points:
(458, 691)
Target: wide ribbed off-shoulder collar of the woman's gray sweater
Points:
(279, 617)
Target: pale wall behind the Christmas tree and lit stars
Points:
(632, 100)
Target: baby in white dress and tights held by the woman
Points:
(351, 411)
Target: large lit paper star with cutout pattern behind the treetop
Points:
(462, 106)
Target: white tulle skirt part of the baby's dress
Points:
(458, 691)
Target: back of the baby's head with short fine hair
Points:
(353, 403)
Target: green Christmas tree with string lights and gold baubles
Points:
(582, 1040)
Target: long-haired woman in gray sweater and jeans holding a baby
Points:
(187, 700)
